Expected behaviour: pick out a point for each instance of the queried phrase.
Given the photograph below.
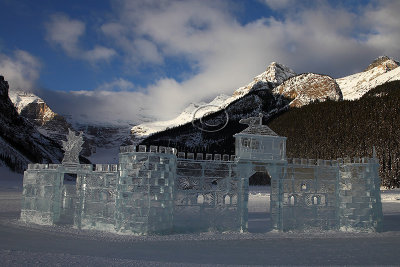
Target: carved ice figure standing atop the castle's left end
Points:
(72, 147)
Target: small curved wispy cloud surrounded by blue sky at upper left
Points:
(65, 32)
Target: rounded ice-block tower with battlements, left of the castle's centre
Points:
(145, 191)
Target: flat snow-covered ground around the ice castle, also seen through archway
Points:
(22, 245)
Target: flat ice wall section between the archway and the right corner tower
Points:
(309, 195)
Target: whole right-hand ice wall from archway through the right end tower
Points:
(327, 195)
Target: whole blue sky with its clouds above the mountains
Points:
(129, 60)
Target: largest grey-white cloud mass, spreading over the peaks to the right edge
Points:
(224, 54)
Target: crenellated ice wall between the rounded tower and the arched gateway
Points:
(209, 195)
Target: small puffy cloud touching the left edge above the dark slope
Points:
(20, 70)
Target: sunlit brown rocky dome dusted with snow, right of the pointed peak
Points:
(308, 87)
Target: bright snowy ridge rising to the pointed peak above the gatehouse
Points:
(274, 75)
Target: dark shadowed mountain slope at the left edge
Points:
(20, 141)
